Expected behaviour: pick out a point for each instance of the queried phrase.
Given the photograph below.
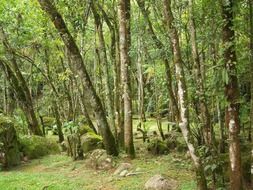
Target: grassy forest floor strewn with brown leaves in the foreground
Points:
(59, 172)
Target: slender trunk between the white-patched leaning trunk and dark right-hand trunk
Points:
(204, 113)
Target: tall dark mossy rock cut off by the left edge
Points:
(9, 151)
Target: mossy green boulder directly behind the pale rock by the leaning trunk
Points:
(90, 141)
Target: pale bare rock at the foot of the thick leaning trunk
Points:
(98, 159)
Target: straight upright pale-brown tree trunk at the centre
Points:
(124, 28)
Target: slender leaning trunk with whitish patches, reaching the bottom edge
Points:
(182, 95)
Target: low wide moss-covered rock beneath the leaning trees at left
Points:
(36, 146)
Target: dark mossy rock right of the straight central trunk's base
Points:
(157, 147)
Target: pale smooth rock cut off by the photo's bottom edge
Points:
(159, 182)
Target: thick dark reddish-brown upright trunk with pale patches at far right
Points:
(232, 96)
